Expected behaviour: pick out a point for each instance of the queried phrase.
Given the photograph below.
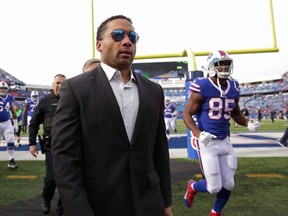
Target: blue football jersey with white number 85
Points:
(214, 114)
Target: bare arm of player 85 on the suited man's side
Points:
(193, 105)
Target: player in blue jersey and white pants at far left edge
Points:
(6, 127)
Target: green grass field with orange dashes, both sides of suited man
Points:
(261, 187)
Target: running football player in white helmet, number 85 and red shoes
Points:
(213, 101)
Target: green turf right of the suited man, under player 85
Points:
(261, 189)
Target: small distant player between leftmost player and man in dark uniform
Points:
(30, 104)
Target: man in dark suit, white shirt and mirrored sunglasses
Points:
(109, 144)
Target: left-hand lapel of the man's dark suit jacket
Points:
(103, 89)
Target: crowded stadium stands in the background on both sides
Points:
(265, 95)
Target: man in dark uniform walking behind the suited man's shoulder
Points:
(44, 114)
